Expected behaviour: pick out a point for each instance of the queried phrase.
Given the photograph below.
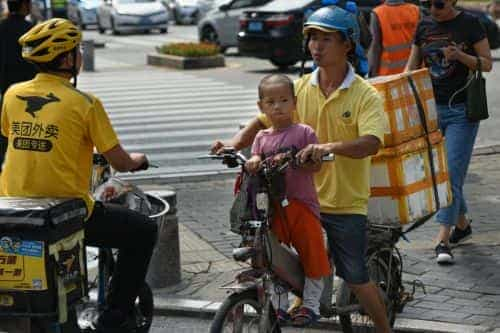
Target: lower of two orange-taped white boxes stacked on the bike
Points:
(401, 181)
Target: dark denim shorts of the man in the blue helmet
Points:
(348, 242)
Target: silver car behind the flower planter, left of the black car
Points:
(220, 25)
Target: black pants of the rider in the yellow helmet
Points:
(134, 235)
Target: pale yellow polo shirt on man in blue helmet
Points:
(355, 109)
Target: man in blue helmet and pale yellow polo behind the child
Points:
(347, 115)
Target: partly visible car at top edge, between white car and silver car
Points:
(188, 11)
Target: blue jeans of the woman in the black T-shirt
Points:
(460, 135)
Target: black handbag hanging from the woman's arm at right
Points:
(477, 105)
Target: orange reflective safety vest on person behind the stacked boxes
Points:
(392, 25)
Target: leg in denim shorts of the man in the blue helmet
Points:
(347, 239)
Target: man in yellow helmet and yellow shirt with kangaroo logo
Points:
(52, 129)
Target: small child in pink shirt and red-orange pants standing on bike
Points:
(298, 222)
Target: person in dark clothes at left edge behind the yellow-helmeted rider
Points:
(13, 68)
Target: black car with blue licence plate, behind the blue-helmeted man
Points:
(274, 31)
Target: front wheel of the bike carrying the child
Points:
(245, 299)
